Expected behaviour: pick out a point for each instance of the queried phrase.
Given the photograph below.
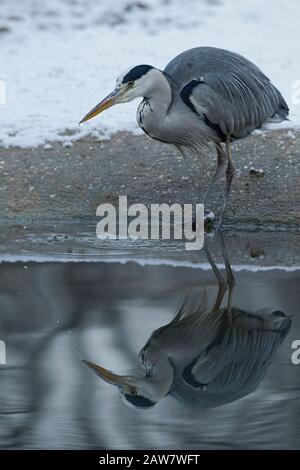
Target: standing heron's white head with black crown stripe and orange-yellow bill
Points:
(139, 81)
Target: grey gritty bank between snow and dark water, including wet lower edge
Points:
(49, 198)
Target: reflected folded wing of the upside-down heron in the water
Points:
(243, 356)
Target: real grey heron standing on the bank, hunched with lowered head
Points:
(204, 99)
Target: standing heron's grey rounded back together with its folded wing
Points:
(229, 91)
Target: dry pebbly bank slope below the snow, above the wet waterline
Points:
(69, 183)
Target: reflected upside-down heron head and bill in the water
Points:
(135, 391)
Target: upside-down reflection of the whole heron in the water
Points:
(206, 356)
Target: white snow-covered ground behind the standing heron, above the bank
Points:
(59, 58)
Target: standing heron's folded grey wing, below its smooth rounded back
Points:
(235, 102)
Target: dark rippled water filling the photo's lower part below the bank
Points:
(52, 314)
